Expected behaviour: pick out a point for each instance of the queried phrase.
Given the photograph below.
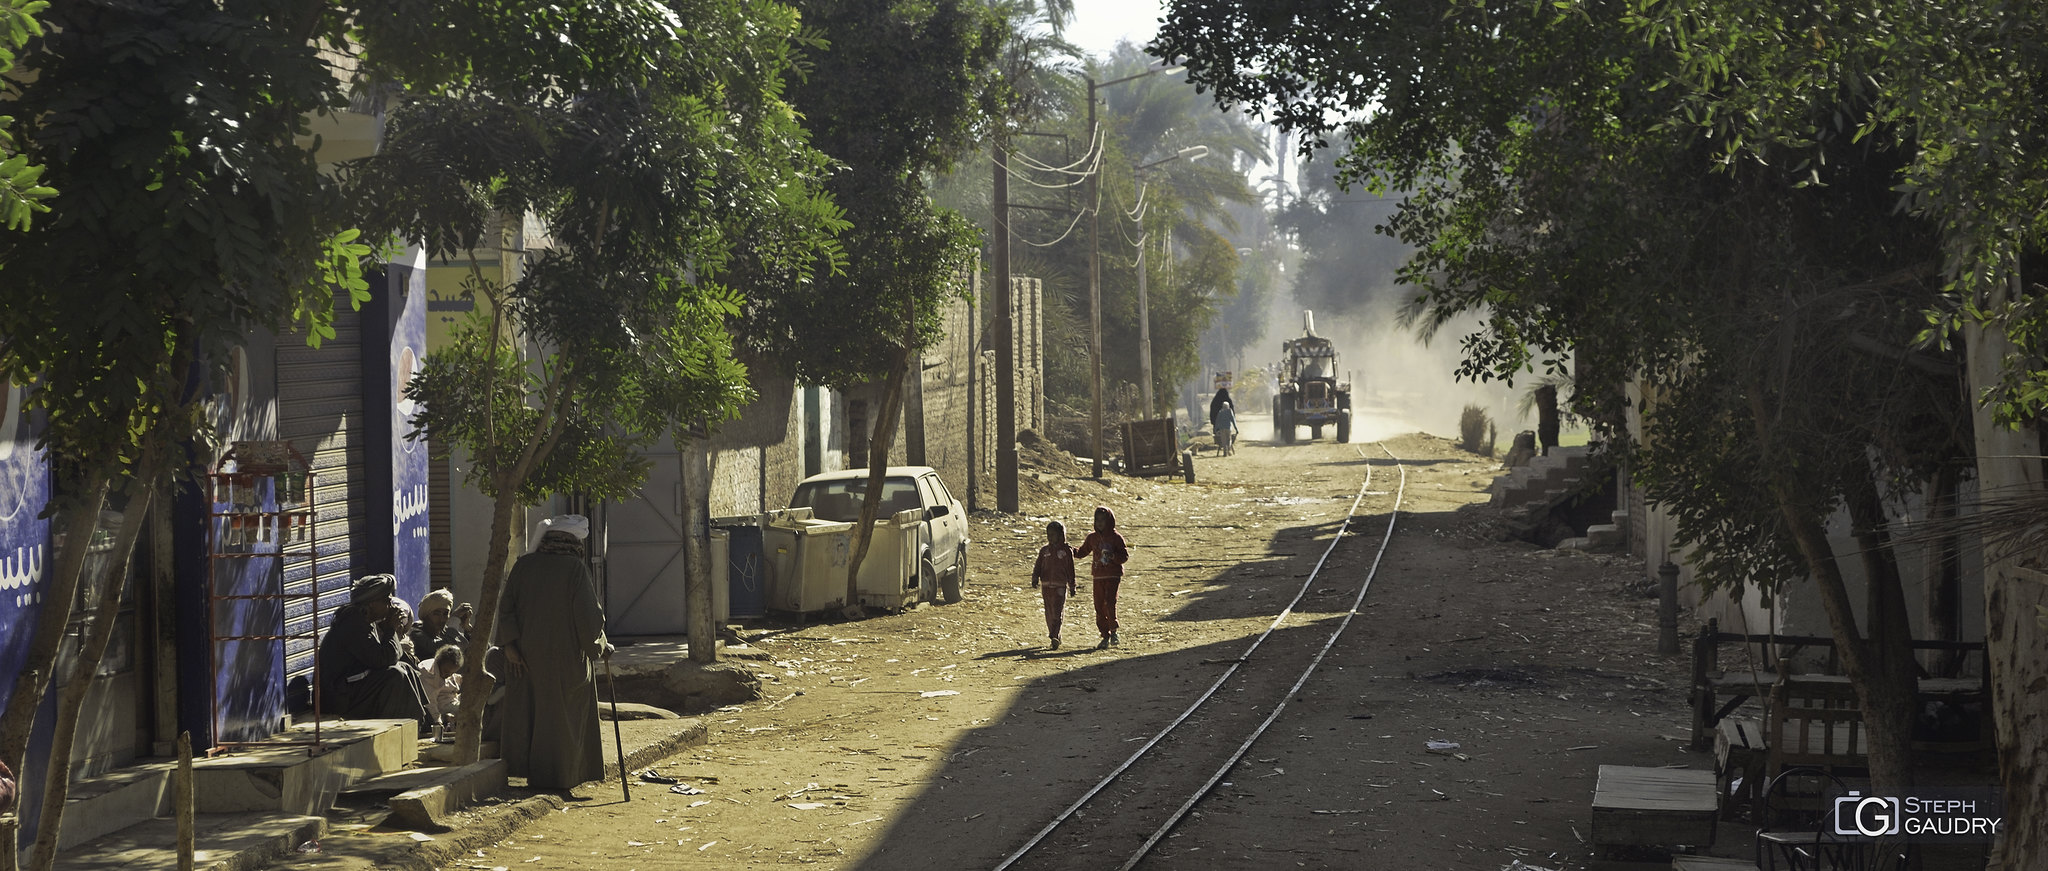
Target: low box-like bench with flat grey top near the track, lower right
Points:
(1654, 806)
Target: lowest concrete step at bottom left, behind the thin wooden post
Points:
(224, 843)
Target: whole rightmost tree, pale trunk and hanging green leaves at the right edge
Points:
(1957, 91)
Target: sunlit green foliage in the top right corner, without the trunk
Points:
(1953, 89)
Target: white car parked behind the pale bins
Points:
(941, 534)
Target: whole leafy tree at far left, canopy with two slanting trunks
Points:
(187, 216)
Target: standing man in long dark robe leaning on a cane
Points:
(552, 632)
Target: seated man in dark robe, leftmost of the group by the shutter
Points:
(361, 661)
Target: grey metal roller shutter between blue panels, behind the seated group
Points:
(321, 413)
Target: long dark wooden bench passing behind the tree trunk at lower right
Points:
(1719, 692)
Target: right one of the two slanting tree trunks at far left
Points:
(114, 579)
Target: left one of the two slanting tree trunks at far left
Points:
(60, 589)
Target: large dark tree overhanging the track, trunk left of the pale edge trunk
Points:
(1553, 196)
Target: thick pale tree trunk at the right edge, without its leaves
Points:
(2016, 649)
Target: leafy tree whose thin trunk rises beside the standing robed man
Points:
(667, 165)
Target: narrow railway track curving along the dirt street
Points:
(1123, 817)
